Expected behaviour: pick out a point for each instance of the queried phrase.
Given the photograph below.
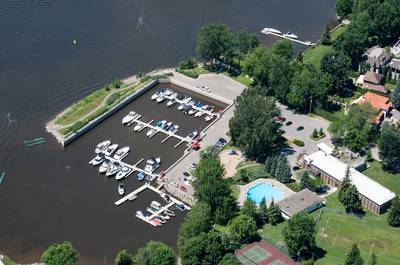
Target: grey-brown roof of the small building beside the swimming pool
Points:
(299, 202)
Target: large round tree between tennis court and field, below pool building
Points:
(299, 235)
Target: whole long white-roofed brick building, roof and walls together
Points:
(373, 195)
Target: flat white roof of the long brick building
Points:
(336, 168)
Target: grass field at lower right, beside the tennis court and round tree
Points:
(337, 231)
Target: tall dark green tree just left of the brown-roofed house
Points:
(337, 66)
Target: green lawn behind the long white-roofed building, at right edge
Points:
(390, 181)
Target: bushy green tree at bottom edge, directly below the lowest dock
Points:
(156, 253)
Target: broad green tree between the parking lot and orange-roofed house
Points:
(355, 130)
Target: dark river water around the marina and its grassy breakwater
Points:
(50, 194)
